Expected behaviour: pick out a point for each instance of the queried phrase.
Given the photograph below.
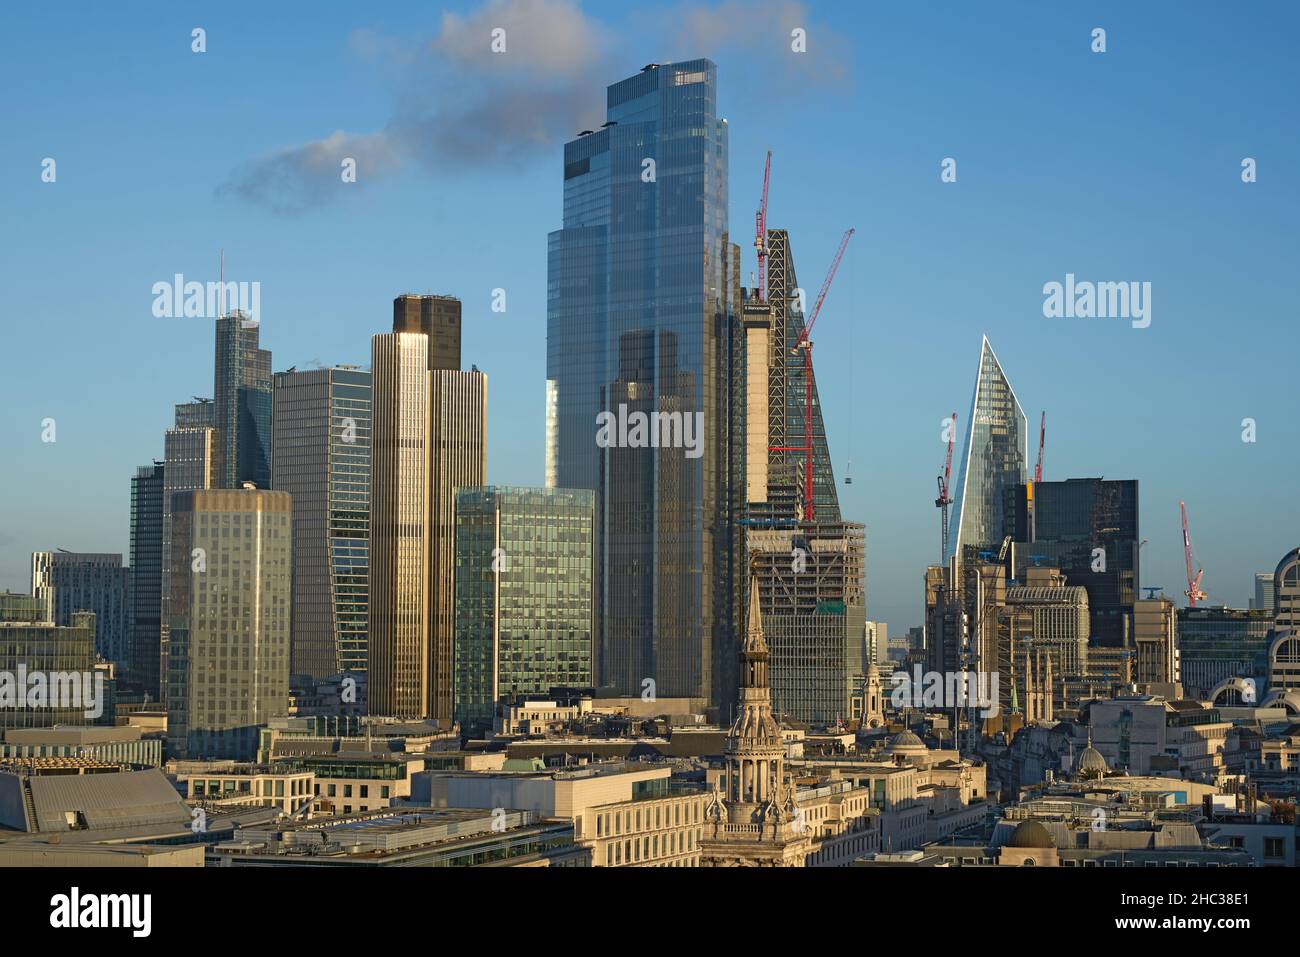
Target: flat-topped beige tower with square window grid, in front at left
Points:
(228, 652)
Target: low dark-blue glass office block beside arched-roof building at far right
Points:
(1217, 646)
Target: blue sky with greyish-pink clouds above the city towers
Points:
(1117, 166)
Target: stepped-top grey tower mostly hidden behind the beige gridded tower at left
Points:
(192, 461)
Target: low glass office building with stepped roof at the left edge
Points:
(36, 649)
